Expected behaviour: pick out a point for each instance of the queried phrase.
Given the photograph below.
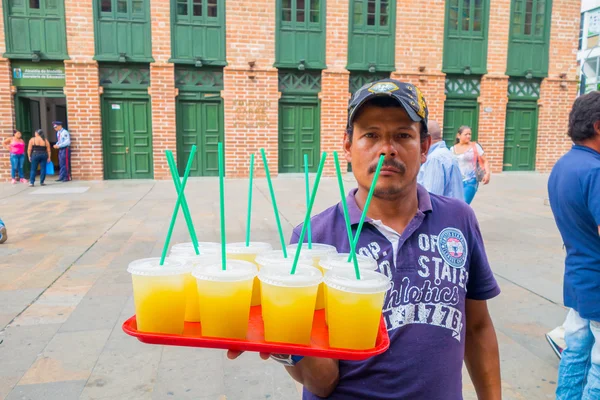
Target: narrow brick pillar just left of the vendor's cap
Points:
(335, 84)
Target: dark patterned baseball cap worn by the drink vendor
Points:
(406, 94)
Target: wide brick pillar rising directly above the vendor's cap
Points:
(419, 52)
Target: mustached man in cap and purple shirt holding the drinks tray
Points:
(432, 250)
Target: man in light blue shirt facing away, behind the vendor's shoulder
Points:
(440, 174)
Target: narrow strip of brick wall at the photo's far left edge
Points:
(7, 120)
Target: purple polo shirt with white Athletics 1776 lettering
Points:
(441, 262)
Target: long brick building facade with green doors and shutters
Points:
(133, 78)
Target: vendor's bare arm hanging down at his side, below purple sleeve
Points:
(481, 351)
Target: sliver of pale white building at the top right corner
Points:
(588, 55)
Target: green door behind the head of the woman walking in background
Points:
(457, 114)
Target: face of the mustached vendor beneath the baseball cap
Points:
(389, 132)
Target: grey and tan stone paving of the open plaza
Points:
(64, 289)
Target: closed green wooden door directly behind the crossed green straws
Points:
(199, 123)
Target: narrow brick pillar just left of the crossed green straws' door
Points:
(162, 89)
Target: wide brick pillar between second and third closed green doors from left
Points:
(250, 87)
